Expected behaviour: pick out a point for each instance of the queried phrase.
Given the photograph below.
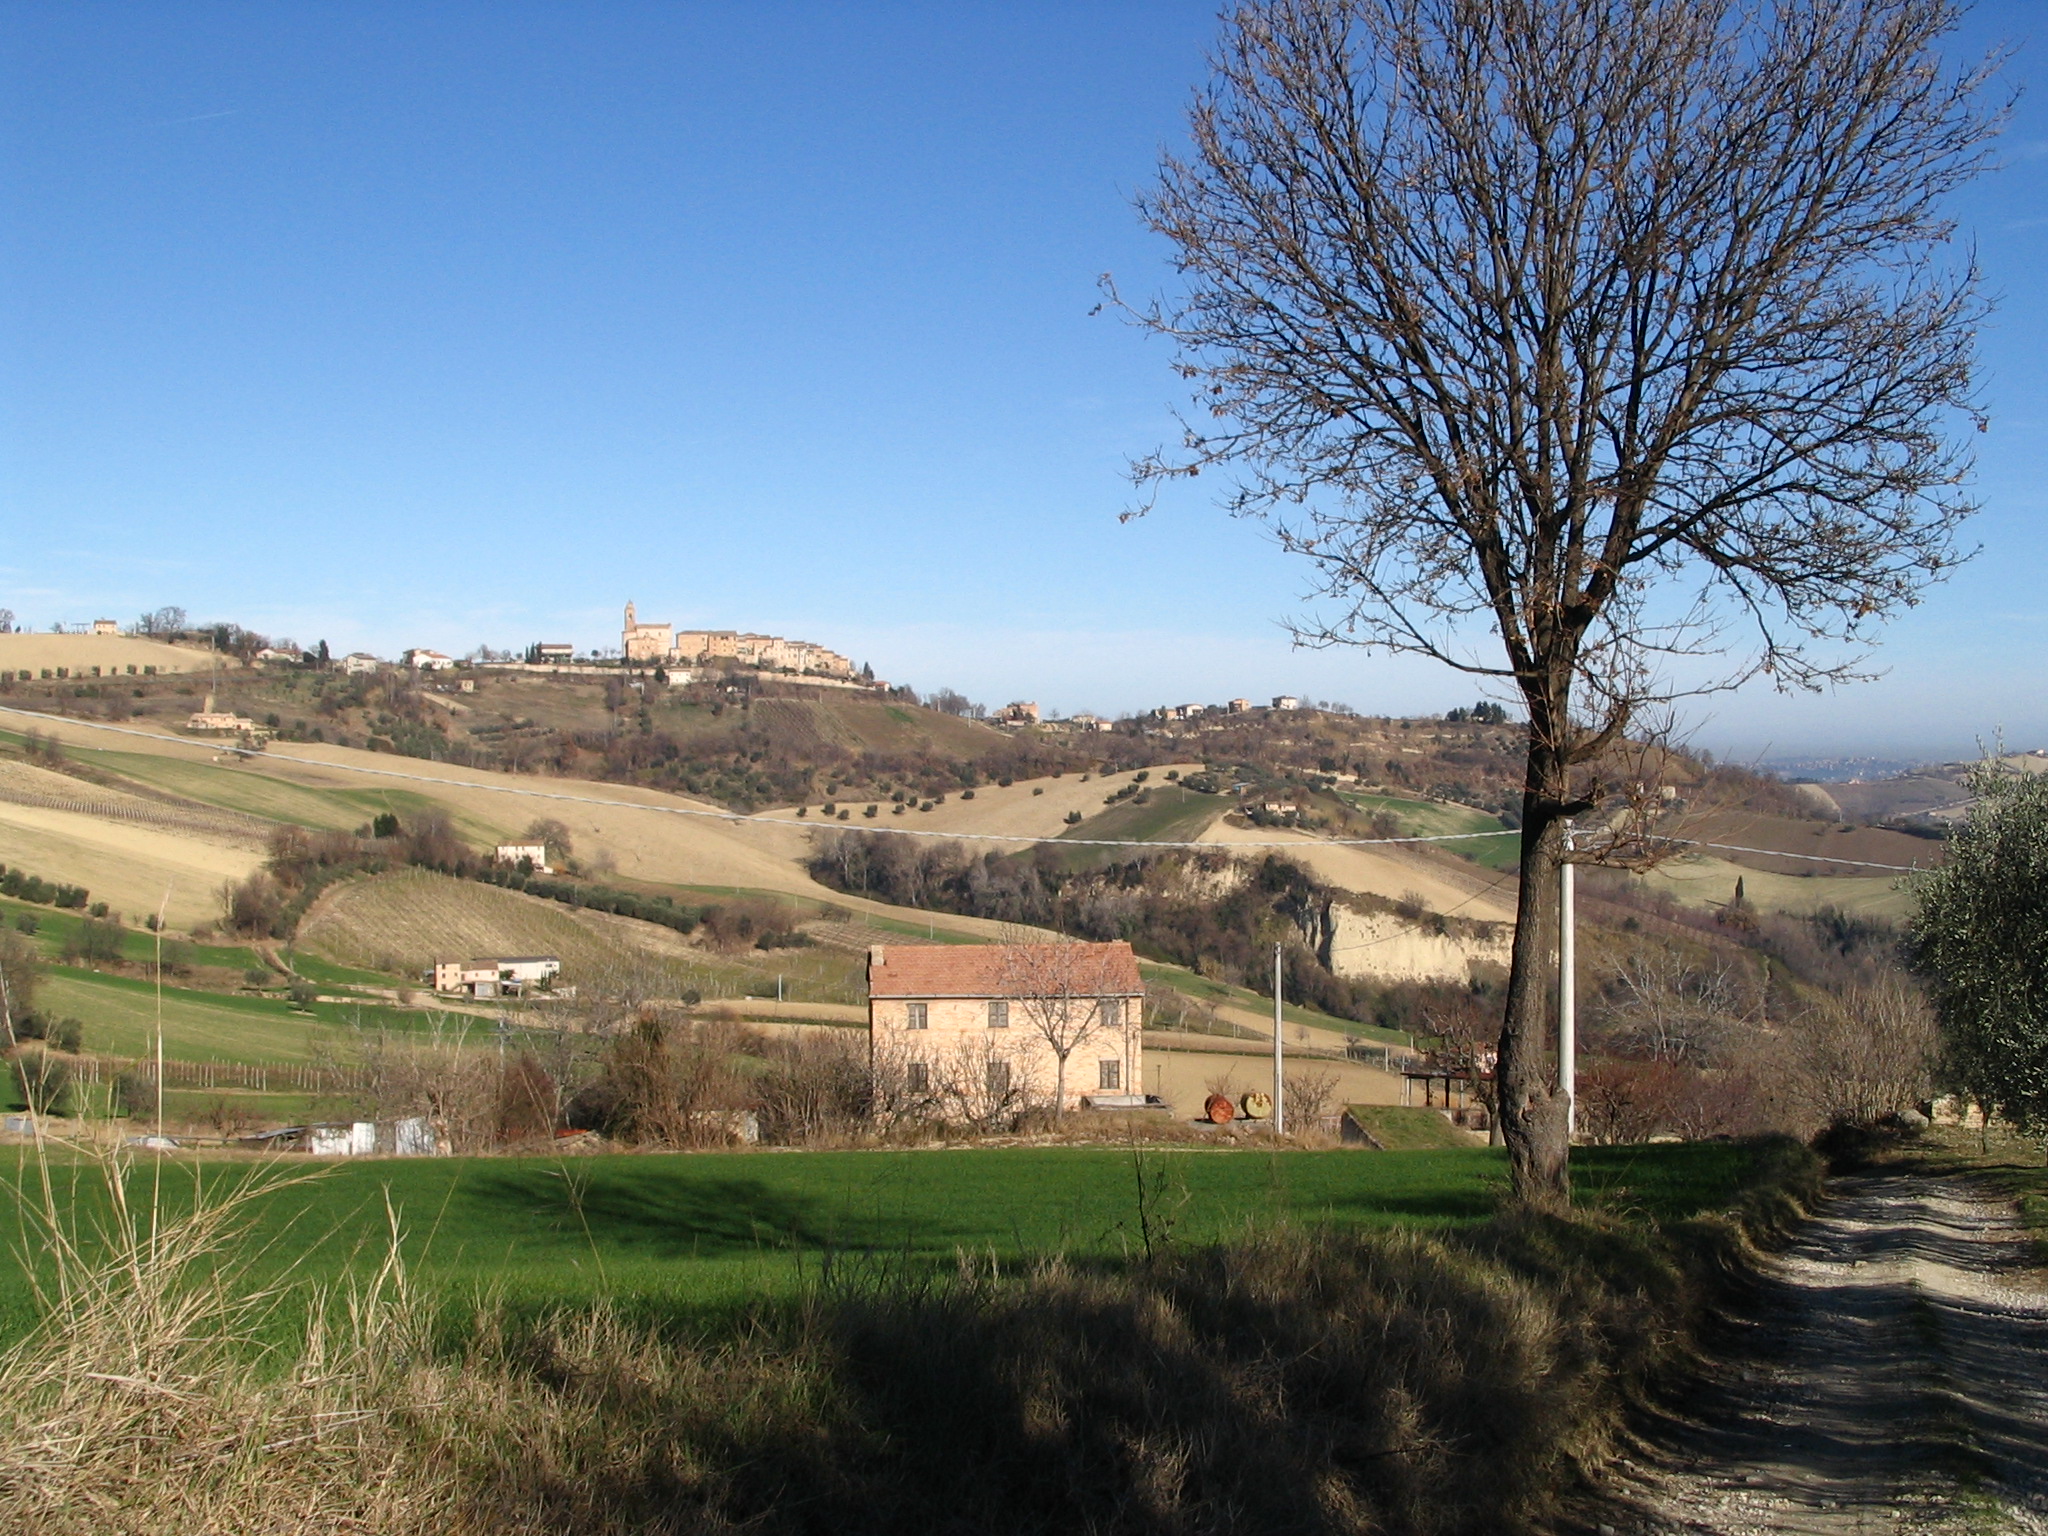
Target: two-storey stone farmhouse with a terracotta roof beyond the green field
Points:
(978, 1029)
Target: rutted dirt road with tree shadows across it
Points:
(1889, 1377)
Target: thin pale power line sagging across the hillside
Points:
(736, 818)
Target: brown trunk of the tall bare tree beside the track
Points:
(1531, 1113)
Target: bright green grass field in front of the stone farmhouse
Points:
(697, 1234)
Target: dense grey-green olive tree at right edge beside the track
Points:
(1981, 937)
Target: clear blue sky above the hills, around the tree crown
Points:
(439, 325)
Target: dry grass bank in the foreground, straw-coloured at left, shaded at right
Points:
(1304, 1383)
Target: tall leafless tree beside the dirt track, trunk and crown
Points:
(1613, 331)
